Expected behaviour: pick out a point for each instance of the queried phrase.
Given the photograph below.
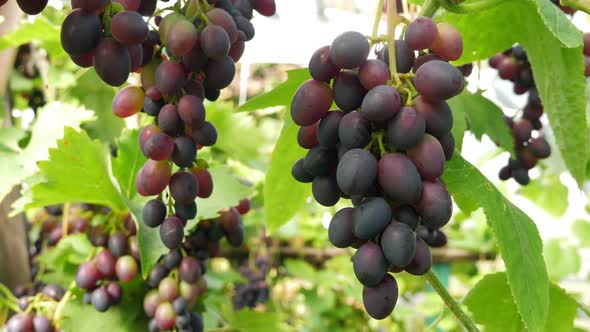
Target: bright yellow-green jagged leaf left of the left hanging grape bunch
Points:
(77, 171)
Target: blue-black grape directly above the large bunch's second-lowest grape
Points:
(371, 217)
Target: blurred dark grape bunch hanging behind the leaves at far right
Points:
(526, 127)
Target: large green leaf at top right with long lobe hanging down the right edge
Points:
(545, 36)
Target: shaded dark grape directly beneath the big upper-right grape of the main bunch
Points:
(437, 115)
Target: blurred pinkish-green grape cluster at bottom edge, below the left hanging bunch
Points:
(177, 282)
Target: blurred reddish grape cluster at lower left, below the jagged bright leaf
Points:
(117, 261)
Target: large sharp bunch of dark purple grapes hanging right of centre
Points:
(385, 149)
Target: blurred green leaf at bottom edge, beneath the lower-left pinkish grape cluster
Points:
(125, 316)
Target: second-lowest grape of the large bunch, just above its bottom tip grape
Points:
(369, 264)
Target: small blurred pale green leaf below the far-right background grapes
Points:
(548, 193)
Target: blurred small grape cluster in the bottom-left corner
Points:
(37, 306)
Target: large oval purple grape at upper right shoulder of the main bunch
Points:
(438, 80)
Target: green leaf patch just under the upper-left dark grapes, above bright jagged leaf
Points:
(97, 96)
